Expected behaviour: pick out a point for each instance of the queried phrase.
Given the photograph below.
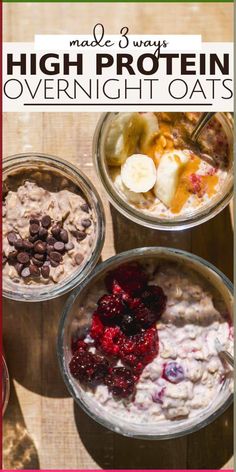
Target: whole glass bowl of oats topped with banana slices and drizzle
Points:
(155, 176)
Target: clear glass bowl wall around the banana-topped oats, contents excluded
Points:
(216, 204)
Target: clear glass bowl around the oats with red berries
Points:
(74, 315)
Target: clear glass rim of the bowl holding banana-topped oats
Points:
(136, 215)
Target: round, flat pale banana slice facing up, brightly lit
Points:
(138, 173)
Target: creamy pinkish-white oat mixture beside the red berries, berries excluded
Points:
(194, 317)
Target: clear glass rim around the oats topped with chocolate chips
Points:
(48, 292)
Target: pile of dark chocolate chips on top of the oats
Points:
(44, 248)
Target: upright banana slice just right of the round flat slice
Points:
(168, 173)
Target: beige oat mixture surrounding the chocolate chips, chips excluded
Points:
(32, 201)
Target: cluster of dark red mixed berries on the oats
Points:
(123, 329)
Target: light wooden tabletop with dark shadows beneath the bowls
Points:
(43, 427)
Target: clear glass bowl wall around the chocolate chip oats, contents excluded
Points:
(31, 163)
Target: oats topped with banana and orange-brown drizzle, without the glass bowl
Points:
(156, 168)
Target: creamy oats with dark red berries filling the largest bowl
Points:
(148, 353)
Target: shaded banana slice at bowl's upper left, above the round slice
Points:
(122, 137)
